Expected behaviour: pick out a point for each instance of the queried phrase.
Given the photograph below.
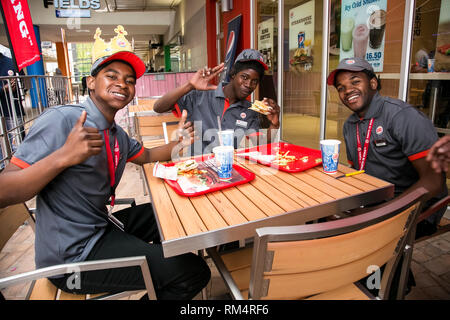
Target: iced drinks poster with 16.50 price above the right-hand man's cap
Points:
(363, 24)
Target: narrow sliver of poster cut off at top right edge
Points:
(442, 55)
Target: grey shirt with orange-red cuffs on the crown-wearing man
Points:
(71, 213)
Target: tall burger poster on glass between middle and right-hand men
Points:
(301, 36)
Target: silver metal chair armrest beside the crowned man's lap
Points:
(139, 261)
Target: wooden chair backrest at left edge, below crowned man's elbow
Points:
(11, 218)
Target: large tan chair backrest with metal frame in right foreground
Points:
(302, 261)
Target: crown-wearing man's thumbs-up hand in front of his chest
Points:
(82, 142)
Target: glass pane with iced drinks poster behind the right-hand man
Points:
(372, 30)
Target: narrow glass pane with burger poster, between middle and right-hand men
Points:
(301, 72)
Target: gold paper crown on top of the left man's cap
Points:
(116, 44)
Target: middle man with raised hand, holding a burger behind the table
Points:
(206, 102)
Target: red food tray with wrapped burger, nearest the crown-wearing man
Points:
(206, 180)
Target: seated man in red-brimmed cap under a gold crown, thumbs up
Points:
(73, 158)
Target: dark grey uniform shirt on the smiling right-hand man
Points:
(400, 134)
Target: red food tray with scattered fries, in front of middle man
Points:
(314, 156)
